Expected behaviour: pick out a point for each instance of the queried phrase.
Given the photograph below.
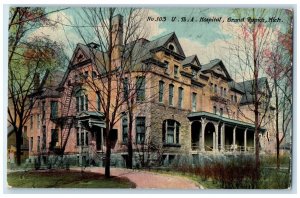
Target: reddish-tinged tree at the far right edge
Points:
(279, 60)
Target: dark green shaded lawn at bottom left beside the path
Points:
(65, 179)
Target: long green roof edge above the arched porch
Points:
(214, 117)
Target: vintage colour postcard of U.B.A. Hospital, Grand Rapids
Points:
(150, 97)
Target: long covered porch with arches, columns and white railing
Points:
(211, 132)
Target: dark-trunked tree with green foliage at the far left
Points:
(26, 63)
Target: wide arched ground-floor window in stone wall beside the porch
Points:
(171, 132)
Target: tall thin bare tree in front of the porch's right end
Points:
(252, 39)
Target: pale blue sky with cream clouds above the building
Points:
(208, 40)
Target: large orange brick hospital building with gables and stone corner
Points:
(184, 107)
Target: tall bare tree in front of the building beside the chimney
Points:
(115, 57)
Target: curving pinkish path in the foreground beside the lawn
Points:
(150, 180)
